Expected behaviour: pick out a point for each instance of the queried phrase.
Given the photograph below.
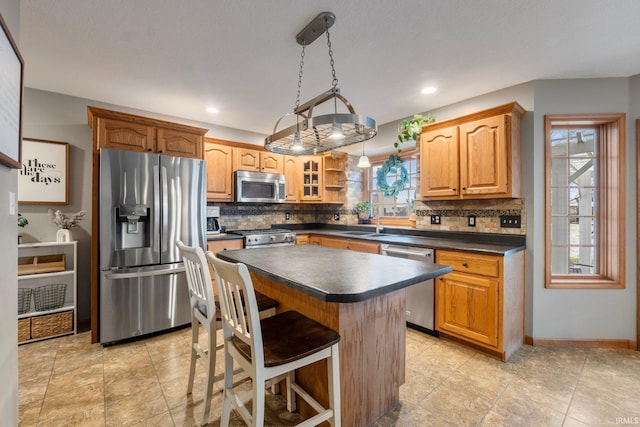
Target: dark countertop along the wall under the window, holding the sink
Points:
(473, 242)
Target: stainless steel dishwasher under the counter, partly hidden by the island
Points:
(420, 297)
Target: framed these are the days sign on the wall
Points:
(44, 176)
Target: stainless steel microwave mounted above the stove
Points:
(259, 187)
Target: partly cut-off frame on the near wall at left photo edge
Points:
(11, 68)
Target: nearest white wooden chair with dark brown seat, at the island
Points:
(270, 350)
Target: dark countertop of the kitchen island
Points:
(334, 275)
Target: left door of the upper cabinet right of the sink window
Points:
(439, 163)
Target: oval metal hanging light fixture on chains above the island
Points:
(315, 134)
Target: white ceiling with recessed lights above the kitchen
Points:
(176, 57)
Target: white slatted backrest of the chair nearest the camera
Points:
(242, 320)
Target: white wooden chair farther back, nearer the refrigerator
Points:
(205, 311)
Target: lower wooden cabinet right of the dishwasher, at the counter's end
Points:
(482, 300)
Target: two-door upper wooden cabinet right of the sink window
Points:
(472, 157)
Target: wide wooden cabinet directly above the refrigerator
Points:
(112, 129)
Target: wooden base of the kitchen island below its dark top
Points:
(372, 349)
